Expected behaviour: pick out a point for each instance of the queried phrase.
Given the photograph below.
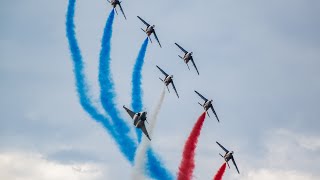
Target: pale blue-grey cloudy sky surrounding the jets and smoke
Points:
(258, 61)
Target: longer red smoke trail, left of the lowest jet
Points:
(187, 163)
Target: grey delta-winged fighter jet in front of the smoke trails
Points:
(138, 120)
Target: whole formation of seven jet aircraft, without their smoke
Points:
(139, 118)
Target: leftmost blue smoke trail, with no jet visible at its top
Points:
(82, 87)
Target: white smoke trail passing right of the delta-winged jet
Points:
(140, 157)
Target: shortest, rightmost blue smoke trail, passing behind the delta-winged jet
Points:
(136, 93)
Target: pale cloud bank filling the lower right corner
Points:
(287, 155)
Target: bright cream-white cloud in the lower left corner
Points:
(33, 166)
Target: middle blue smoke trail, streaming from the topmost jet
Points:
(107, 94)
